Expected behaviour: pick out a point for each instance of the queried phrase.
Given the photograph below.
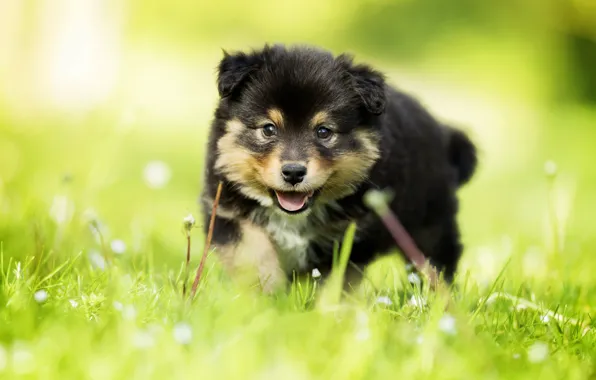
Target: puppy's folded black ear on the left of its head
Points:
(234, 70)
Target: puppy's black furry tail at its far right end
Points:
(462, 155)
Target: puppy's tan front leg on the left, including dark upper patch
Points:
(247, 254)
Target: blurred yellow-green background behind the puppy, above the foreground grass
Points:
(105, 105)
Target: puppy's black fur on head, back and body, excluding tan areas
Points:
(421, 161)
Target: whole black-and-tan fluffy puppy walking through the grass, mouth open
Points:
(298, 137)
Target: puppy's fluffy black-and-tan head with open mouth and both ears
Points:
(299, 125)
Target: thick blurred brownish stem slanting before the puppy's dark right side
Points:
(376, 201)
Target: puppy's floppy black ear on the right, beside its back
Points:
(369, 84)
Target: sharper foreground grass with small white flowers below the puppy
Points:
(69, 319)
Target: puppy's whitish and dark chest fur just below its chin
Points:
(294, 235)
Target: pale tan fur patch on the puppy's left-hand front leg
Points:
(253, 259)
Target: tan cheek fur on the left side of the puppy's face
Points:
(239, 165)
